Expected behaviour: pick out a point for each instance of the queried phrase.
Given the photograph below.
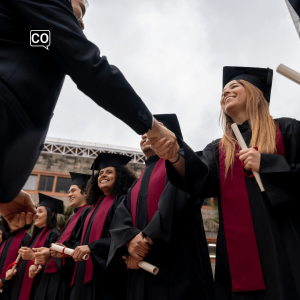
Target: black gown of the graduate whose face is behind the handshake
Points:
(179, 244)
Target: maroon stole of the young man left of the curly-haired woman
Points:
(65, 236)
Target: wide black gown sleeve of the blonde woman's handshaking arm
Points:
(201, 171)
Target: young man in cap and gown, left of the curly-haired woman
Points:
(56, 279)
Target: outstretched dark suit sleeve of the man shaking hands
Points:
(81, 60)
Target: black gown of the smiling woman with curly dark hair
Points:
(106, 284)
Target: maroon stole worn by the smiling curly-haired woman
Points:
(96, 233)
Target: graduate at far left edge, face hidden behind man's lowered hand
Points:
(16, 238)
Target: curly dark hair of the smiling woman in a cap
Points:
(124, 180)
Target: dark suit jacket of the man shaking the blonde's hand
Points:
(31, 79)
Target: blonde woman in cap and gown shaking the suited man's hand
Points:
(257, 255)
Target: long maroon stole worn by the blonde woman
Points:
(244, 261)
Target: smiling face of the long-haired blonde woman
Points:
(233, 99)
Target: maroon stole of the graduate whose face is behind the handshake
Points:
(155, 189)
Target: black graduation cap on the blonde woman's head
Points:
(260, 77)
